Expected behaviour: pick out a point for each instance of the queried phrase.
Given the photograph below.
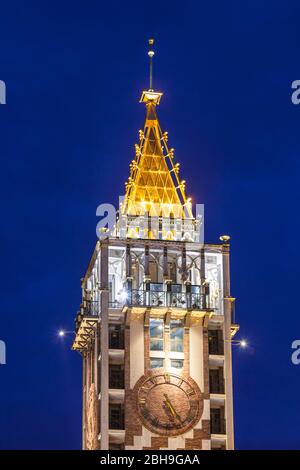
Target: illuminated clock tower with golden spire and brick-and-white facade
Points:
(156, 321)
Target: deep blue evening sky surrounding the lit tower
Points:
(74, 72)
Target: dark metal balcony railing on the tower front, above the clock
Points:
(145, 298)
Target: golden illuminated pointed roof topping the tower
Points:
(154, 186)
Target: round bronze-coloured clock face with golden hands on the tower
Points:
(168, 404)
